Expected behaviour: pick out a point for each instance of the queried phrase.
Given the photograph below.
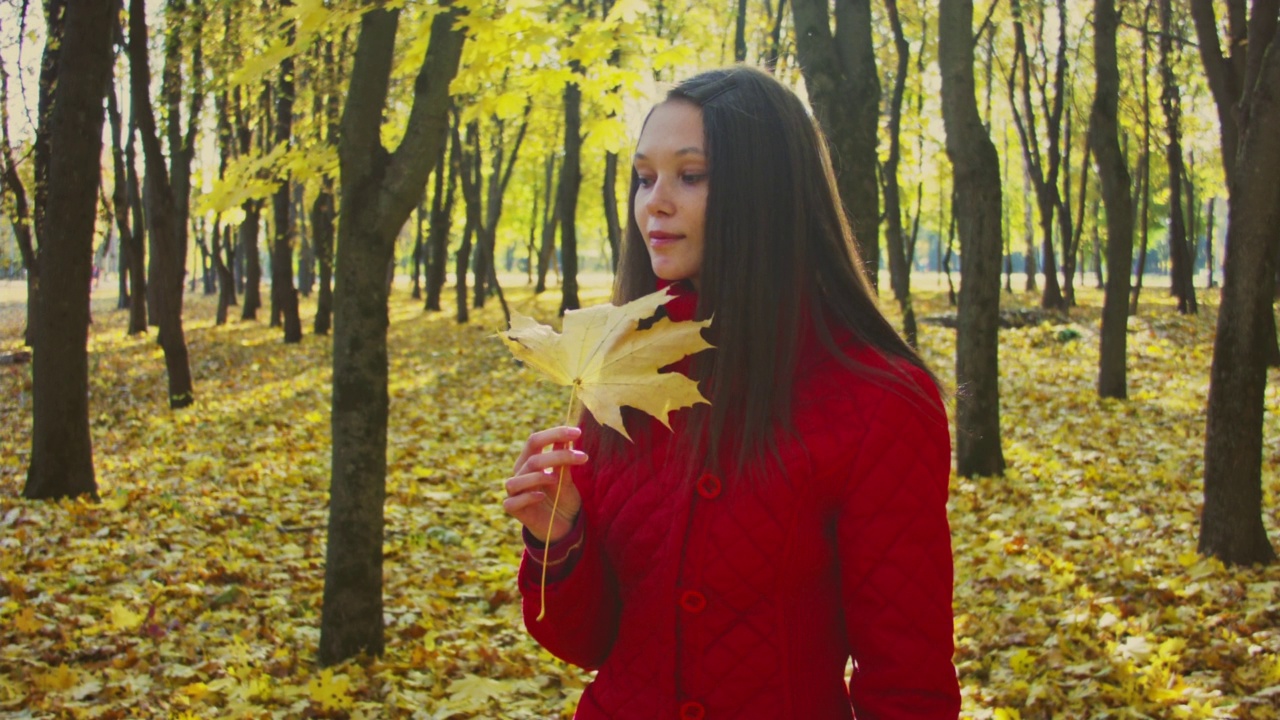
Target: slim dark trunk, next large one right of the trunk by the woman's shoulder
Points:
(1114, 177)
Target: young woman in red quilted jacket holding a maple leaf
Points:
(732, 567)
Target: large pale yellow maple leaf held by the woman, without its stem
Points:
(610, 363)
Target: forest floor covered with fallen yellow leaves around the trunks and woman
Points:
(194, 589)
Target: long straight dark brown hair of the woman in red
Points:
(779, 261)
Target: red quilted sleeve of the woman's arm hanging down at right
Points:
(895, 562)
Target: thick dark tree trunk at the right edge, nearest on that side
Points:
(1232, 527)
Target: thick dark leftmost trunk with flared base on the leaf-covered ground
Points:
(62, 453)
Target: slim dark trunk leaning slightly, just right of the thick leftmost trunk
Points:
(162, 225)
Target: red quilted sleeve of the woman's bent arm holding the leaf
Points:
(583, 605)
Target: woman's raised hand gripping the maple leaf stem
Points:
(532, 490)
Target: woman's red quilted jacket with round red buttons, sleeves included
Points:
(707, 600)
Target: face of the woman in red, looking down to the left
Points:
(671, 198)
